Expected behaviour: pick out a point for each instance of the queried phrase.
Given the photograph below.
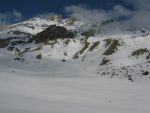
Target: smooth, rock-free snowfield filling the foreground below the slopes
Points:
(67, 89)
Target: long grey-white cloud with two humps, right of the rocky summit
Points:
(96, 16)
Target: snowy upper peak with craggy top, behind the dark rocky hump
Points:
(34, 26)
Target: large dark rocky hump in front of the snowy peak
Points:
(51, 33)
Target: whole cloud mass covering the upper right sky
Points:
(124, 17)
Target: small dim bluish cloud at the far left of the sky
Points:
(10, 17)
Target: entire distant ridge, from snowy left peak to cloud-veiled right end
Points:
(35, 25)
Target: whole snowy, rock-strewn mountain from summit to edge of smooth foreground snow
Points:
(124, 55)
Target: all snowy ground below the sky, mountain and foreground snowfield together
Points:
(84, 74)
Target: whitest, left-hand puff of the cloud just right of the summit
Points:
(86, 14)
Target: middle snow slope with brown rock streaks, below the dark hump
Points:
(110, 56)
